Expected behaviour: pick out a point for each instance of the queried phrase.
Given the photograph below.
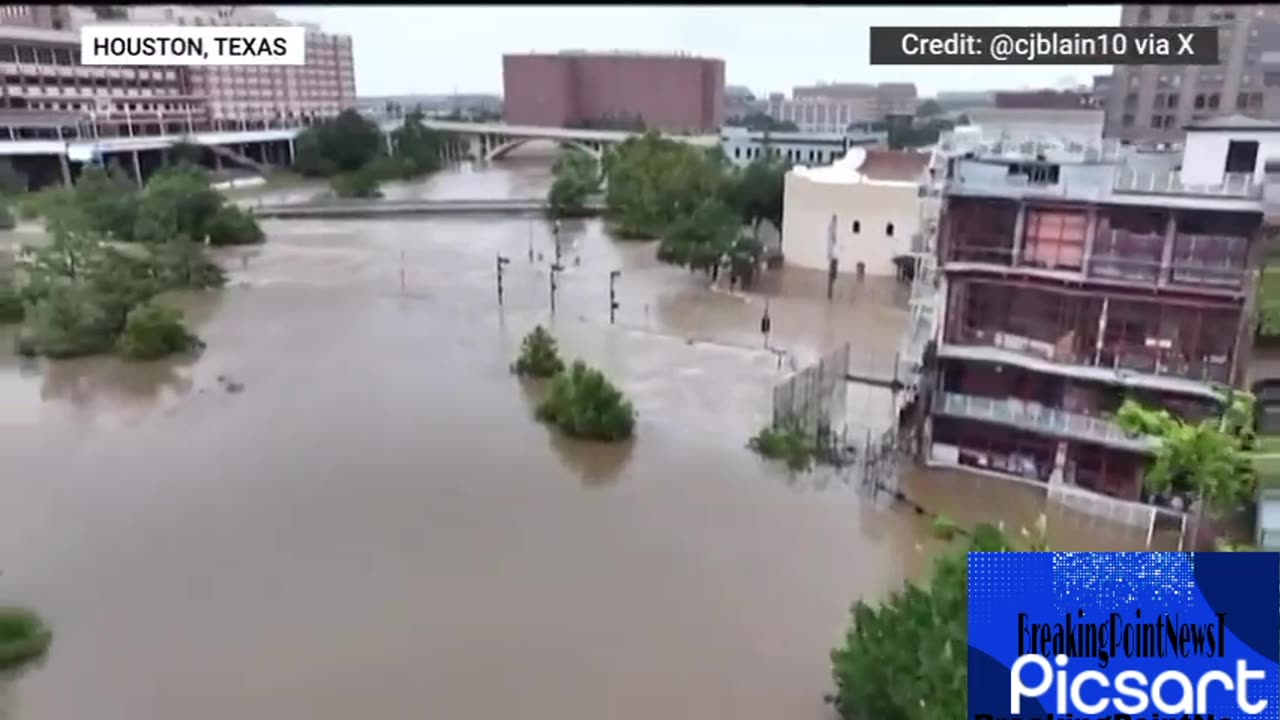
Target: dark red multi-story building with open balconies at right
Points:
(1072, 281)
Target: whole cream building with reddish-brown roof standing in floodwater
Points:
(871, 199)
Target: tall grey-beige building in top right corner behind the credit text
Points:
(1153, 104)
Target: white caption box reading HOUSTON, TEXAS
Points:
(186, 45)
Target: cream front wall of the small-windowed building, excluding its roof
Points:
(808, 207)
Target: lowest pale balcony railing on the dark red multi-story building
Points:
(1040, 418)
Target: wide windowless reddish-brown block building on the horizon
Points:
(680, 94)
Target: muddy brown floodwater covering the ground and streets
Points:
(377, 526)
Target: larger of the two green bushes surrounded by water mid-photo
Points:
(584, 404)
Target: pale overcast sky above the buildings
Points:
(404, 51)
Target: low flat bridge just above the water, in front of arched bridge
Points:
(339, 209)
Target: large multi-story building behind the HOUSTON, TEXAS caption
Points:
(49, 94)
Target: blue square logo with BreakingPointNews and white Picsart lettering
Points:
(1124, 636)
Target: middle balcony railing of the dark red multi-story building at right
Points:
(1137, 359)
